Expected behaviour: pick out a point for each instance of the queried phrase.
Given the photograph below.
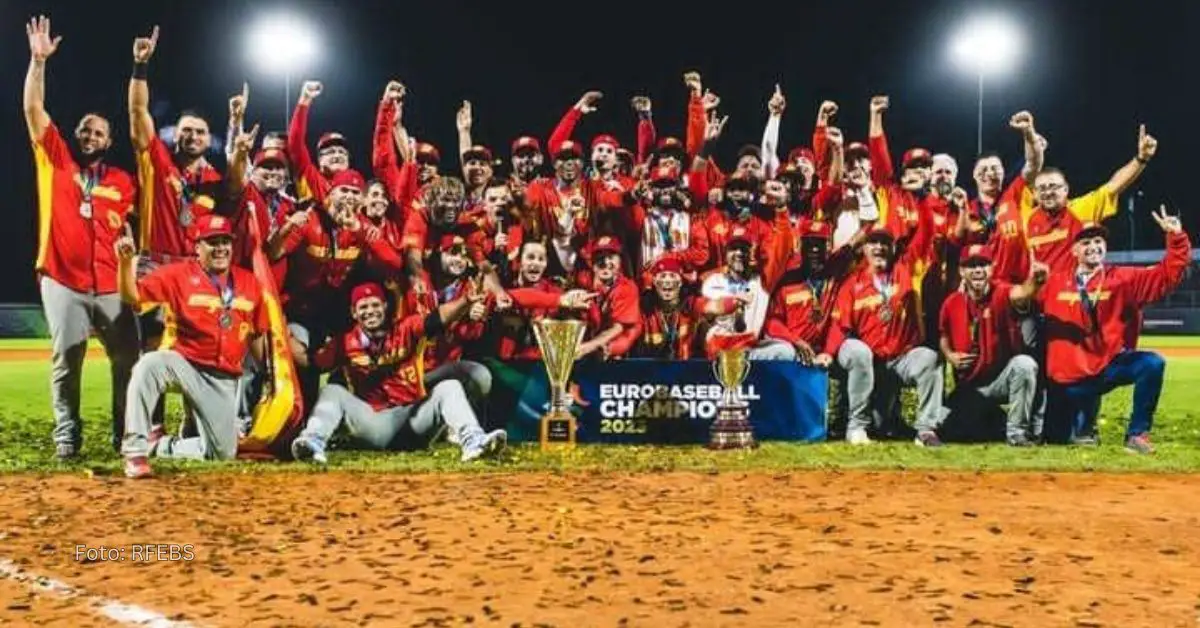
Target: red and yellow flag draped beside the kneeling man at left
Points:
(279, 415)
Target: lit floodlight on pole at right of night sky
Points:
(986, 46)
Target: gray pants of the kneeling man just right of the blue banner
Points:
(866, 384)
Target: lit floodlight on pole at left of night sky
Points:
(283, 45)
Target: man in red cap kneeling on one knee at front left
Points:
(217, 318)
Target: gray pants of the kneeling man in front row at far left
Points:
(213, 397)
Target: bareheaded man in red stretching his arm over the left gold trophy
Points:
(533, 297)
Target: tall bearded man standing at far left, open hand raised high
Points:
(83, 205)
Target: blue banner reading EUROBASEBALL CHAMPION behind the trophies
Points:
(661, 403)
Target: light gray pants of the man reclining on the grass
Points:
(447, 404)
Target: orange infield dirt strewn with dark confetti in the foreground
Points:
(677, 549)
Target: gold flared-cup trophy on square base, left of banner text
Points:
(559, 342)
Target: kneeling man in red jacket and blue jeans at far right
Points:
(1088, 314)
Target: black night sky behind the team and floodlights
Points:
(1089, 74)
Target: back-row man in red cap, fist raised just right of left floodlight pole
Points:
(333, 154)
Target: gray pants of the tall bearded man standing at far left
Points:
(71, 318)
